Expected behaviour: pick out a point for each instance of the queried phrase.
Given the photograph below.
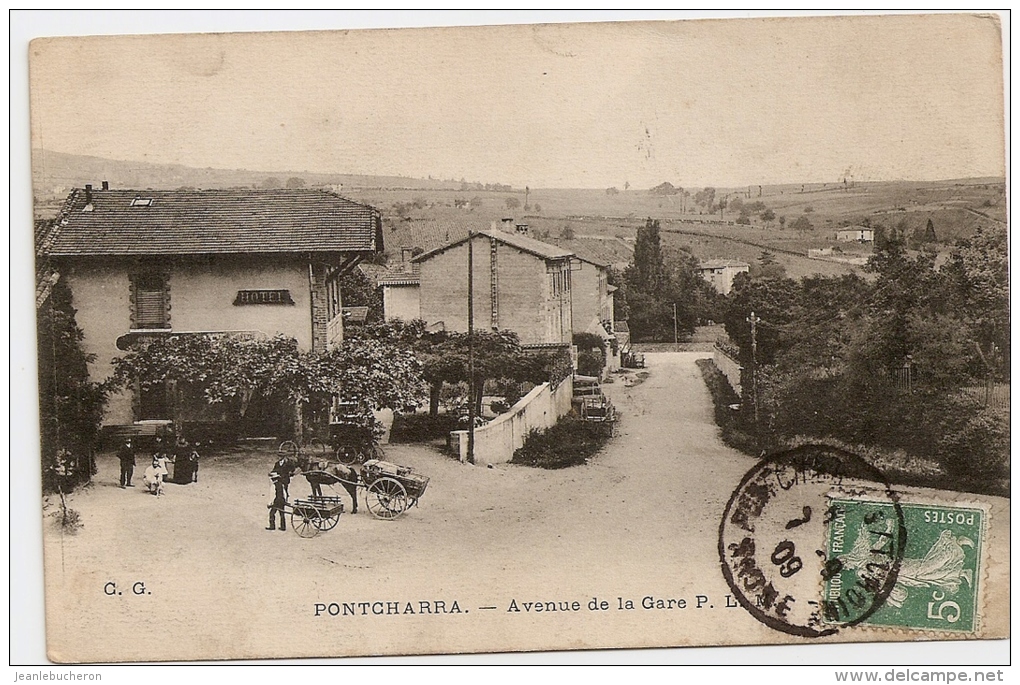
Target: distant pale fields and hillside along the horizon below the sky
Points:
(599, 224)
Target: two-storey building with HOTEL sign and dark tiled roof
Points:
(143, 265)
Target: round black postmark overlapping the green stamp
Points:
(774, 534)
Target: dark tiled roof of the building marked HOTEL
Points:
(203, 223)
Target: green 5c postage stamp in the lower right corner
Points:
(937, 586)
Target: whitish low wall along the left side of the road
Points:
(496, 442)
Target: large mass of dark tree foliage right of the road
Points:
(892, 360)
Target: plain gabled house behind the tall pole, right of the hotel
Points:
(520, 285)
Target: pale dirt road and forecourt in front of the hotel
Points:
(640, 521)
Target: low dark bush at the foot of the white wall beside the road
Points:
(571, 443)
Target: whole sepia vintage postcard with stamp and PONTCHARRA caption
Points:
(518, 339)
